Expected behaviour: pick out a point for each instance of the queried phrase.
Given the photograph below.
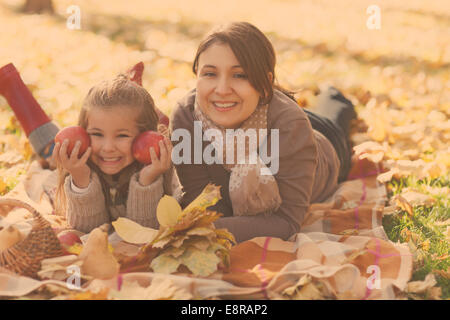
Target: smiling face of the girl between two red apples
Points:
(112, 132)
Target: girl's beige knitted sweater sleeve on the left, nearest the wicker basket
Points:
(86, 211)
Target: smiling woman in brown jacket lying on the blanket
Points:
(235, 70)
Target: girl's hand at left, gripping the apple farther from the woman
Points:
(77, 167)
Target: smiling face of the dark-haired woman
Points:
(224, 93)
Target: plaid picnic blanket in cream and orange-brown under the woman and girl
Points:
(342, 251)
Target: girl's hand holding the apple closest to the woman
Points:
(151, 172)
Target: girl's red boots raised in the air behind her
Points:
(38, 127)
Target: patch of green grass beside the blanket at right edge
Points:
(421, 230)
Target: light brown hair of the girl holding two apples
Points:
(120, 91)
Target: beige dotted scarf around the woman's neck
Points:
(251, 192)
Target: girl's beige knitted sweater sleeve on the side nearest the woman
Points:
(143, 200)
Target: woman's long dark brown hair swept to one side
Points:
(254, 52)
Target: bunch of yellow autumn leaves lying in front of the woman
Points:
(185, 238)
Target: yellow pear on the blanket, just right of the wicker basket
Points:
(98, 261)
